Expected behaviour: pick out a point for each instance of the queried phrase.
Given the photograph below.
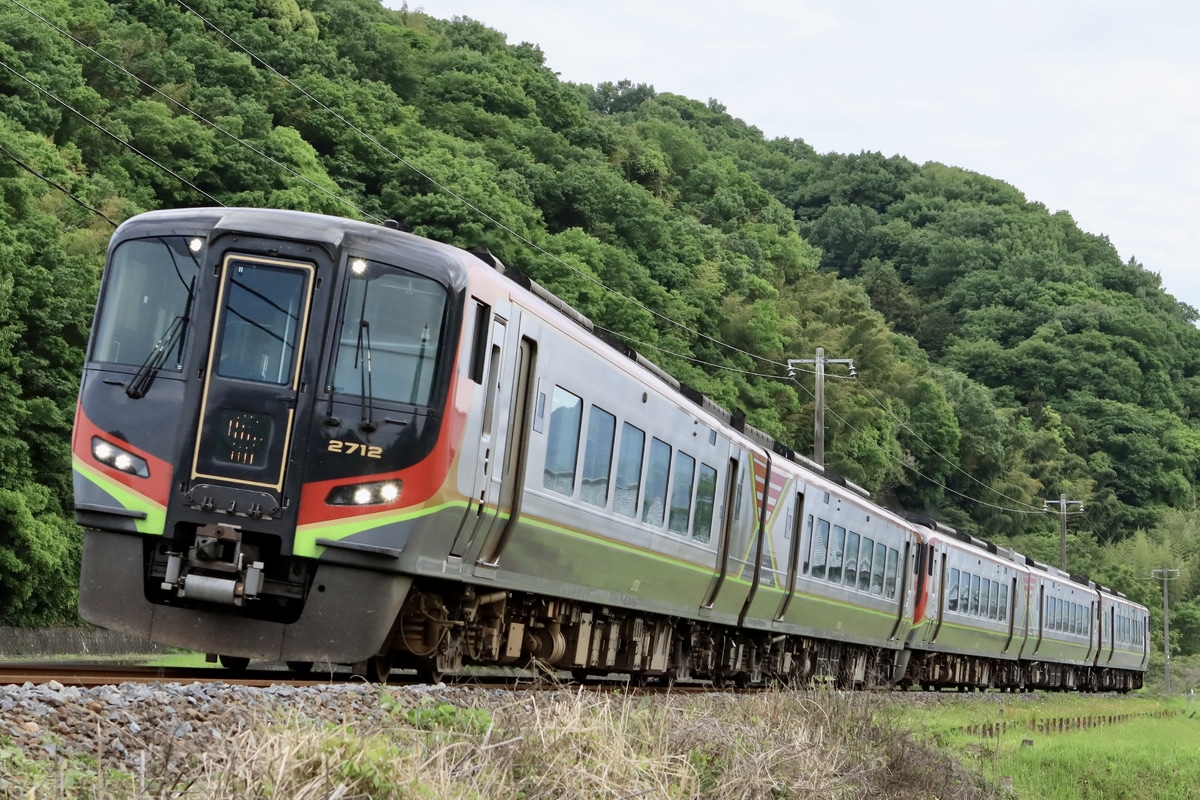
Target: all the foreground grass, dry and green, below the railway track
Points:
(572, 744)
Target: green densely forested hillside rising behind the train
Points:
(1005, 357)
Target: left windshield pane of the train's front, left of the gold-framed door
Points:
(147, 294)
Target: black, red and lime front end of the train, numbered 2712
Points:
(224, 441)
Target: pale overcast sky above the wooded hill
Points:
(1090, 107)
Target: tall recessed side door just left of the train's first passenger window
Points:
(507, 470)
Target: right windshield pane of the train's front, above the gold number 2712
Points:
(388, 346)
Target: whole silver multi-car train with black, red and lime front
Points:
(319, 442)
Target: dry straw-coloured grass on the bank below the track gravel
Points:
(560, 744)
